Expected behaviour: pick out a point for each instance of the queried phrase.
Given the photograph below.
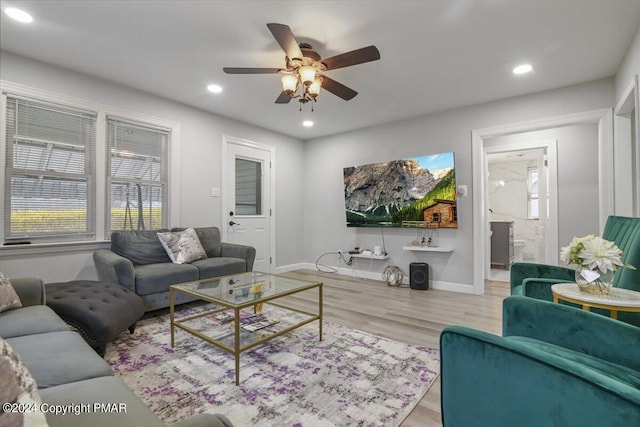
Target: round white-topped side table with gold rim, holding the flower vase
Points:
(617, 299)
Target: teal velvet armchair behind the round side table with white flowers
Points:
(535, 280)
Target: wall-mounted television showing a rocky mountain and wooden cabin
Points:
(418, 191)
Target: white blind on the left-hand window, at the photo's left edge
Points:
(49, 170)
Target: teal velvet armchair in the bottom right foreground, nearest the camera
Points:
(554, 365)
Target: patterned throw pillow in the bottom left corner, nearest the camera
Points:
(19, 391)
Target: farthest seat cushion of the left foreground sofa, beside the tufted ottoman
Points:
(36, 319)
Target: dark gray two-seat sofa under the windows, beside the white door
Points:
(138, 261)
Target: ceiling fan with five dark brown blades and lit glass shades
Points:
(303, 75)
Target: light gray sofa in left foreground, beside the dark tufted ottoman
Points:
(68, 372)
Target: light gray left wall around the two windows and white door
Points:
(200, 153)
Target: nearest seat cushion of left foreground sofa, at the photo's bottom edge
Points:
(103, 390)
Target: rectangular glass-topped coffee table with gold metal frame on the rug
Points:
(276, 287)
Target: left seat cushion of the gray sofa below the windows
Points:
(154, 278)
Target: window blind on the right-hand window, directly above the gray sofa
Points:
(138, 167)
